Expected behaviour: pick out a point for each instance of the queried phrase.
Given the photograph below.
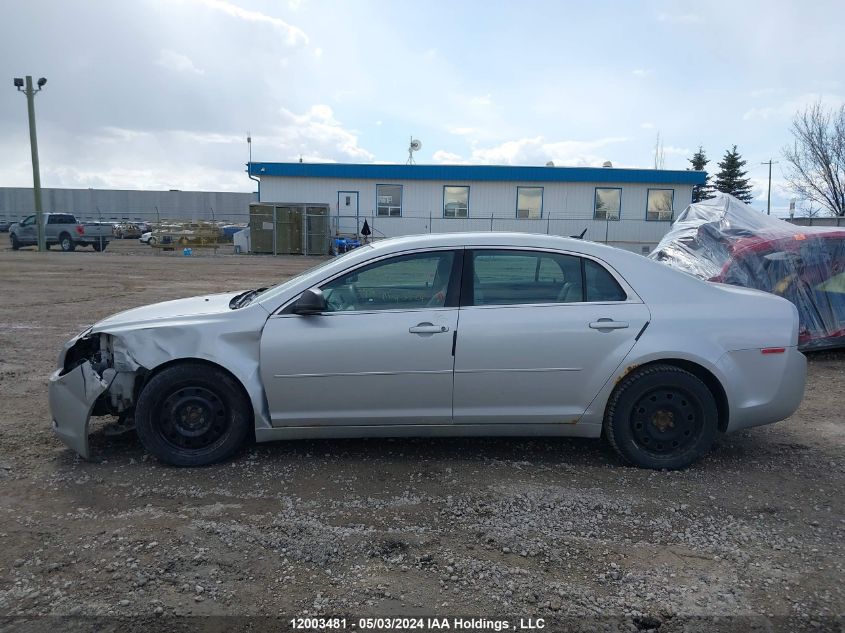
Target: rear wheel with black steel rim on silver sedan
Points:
(661, 416)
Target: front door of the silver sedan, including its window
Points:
(381, 353)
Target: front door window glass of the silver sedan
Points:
(406, 282)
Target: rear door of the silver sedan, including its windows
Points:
(540, 333)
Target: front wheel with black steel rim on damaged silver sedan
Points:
(193, 414)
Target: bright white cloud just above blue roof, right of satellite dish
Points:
(535, 151)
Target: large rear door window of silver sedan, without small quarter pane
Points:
(520, 277)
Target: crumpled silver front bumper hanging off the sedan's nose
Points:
(72, 397)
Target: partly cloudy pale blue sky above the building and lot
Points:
(160, 94)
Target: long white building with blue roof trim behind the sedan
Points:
(628, 208)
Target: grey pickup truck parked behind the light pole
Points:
(62, 229)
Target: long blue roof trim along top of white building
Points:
(454, 173)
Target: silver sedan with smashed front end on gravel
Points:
(450, 334)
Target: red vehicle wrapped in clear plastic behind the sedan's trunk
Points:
(725, 240)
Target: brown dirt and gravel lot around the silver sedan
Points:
(554, 529)
